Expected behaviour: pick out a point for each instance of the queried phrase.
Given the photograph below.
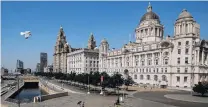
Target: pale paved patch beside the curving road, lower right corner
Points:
(187, 97)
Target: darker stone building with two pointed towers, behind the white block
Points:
(62, 48)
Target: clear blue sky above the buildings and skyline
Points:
(111, 20)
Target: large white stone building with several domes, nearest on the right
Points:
(176, 61)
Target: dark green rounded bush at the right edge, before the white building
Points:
(199, 88)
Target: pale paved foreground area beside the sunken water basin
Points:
(73, 99)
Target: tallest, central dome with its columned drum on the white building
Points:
(149, 29)
